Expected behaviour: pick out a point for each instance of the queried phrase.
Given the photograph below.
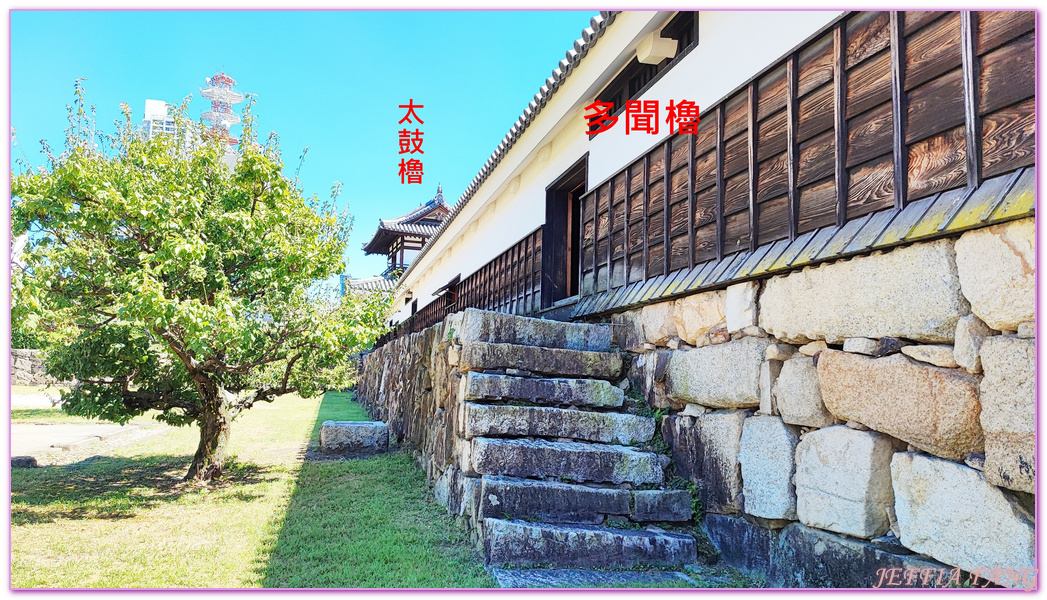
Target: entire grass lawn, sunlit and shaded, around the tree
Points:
(127, 520)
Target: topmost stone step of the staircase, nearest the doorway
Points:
(500, 328)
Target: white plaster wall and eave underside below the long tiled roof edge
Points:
(732, 48)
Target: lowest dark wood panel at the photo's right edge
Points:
(1009, 139)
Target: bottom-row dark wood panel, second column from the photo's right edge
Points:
(938, 164)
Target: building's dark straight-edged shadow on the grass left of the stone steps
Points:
(367, 523)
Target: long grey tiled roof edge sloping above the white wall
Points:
(598, 26)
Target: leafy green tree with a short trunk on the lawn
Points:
(167, 280)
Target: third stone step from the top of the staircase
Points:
(551, 391)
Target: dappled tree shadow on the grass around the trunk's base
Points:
(116, 488)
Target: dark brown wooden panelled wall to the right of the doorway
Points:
(883, 109)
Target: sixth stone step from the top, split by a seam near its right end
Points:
(554, 502)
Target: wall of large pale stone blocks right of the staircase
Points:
(879, 411)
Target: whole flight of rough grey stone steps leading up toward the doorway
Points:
(569, 479)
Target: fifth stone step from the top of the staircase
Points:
(575, 461)
